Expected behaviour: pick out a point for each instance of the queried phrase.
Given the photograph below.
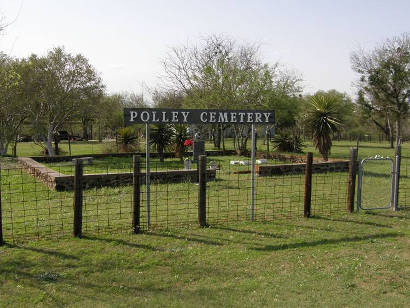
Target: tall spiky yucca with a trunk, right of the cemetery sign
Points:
(323, 118)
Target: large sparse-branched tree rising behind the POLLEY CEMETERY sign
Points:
(221, 74)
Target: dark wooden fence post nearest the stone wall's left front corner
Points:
(78, 198)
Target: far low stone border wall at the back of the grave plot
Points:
(54, 159)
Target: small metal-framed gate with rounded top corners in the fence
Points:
(375, 187)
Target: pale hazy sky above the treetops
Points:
(125, 40)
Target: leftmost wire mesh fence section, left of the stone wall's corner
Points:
(31, 208)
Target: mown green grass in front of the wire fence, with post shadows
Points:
(358, 260)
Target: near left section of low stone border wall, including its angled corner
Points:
(61, 182)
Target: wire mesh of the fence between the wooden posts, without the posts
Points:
(38, 203)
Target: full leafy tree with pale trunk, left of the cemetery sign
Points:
(61, 84)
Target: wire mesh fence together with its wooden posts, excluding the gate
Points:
(29, 209)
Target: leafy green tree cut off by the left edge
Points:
(13, 109)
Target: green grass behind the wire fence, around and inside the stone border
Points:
(30, 209)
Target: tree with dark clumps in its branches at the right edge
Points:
(384, 83)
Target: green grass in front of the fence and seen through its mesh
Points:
(333, 259)
